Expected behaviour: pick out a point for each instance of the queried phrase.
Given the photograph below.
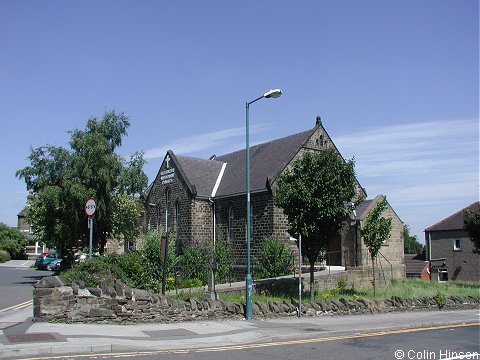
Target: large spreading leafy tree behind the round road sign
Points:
(62, 180)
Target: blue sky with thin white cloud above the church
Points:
(395, 82)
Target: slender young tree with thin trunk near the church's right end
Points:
(375, 230)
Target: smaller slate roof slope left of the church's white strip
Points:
(201, 173)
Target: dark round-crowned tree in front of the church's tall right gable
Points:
(317, 195)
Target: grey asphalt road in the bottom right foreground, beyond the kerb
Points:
(421, 344)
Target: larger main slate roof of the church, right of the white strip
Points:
(266, 161)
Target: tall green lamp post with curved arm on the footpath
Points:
(248, 279)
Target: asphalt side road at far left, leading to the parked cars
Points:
(16, 284)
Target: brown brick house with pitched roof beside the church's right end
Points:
(449, 249)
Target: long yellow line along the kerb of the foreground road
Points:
(253, 346)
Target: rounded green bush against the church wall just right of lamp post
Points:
(275, 259)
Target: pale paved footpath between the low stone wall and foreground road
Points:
(24, 338)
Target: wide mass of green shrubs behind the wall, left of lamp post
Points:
(143, 269)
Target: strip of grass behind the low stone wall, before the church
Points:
(408, 288)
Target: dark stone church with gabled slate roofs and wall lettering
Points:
(206, 199)
